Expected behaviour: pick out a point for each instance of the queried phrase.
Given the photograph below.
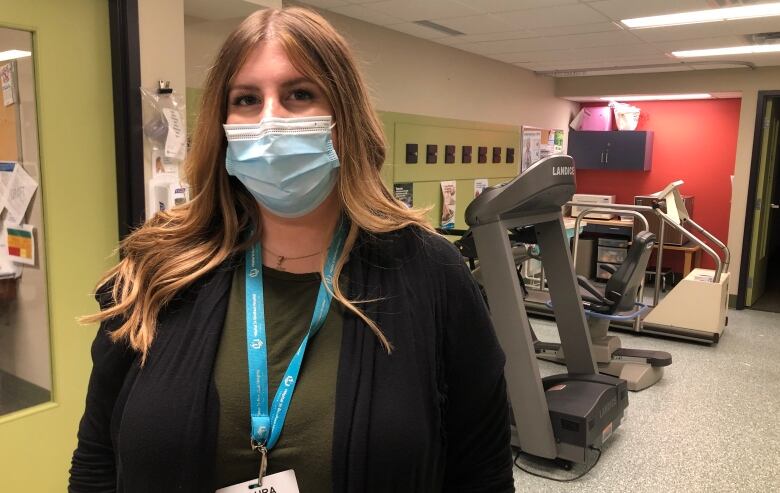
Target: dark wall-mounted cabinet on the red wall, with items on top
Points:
(627, 150)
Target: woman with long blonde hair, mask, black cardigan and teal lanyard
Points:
(199, 380)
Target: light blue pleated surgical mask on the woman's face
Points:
(288, 164)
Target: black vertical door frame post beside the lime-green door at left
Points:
(128, 135)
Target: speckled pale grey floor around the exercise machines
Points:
(712, 424)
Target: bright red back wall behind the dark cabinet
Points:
(694, 141)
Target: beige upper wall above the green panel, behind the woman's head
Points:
(411, 75)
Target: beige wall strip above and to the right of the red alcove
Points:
(748, 82)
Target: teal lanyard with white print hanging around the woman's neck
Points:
(267, 424)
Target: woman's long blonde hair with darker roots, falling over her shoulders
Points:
(176, 247)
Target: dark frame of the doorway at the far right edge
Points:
(755, 165)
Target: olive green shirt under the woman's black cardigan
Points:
(306, 440)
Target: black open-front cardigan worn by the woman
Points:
(431, 416)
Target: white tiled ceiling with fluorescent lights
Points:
(556, 37)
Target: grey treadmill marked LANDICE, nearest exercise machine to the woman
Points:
(560, 416)
